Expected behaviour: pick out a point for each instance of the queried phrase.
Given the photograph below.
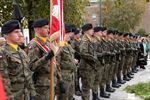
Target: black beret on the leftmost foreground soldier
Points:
(10, 26)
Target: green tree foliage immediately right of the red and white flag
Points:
(74, 10)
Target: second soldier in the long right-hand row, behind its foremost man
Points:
(100, 63)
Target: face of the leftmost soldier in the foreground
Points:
(13, 36)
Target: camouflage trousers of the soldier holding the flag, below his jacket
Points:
(43, 93)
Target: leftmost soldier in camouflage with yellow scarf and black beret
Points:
(14, 65)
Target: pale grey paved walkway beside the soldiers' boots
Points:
(120, 94)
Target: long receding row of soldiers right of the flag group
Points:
(104, 55)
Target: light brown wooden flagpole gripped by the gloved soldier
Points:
(52, 66)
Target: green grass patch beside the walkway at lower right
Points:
(141, 89)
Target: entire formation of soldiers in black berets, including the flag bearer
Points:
(99, 57)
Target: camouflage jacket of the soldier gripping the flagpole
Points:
(38, 64)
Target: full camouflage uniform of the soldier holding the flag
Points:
(41, 68)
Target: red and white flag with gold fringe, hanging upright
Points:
(57, 21)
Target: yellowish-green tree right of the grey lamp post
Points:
(124, 15)
